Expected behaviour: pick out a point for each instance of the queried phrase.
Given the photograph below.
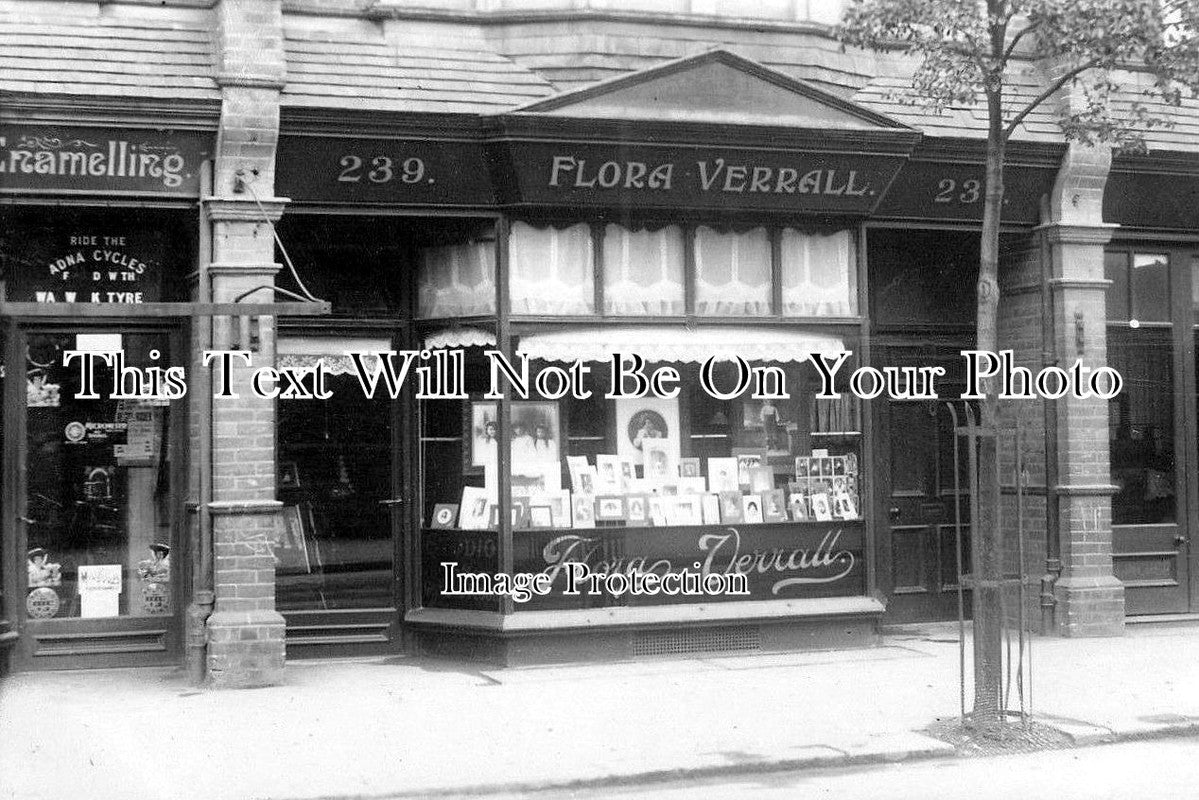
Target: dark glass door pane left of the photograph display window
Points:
(335, 473)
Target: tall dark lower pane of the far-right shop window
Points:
(1141, 424)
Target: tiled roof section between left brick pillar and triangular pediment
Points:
(402, 68)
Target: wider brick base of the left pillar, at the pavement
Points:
(246, 649)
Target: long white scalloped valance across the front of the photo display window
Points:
(661, 344)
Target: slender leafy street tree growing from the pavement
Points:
(967, 52)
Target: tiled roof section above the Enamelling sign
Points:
(67, 49)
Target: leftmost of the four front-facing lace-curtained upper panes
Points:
(552, 270)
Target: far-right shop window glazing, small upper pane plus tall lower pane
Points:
(1141, 419)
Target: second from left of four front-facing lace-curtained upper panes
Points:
(643, 272)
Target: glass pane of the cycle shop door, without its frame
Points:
(98, 484)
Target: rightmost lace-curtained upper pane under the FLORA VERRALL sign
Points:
(820, 274)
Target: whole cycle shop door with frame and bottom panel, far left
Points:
(93, 497)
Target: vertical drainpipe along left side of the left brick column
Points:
(203, 597)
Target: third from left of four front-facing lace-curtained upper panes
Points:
(733, 273)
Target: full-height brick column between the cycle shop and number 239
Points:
(245, 631)
